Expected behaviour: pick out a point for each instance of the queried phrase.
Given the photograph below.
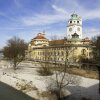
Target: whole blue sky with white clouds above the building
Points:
(26, 18)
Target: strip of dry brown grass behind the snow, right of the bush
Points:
(88, 73)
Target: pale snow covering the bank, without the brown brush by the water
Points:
(87, 88)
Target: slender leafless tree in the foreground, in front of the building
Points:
(63, 79)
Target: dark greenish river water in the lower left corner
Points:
(9, 93)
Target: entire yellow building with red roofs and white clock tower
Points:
(71, 48)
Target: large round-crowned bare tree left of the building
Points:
(15, 51)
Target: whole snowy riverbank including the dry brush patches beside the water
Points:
(27, 80)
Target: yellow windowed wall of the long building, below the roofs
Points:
(59, 54)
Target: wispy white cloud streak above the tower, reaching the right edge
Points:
(69, 7)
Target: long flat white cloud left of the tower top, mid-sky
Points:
(40, 19)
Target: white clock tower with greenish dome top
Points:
(74, 26)
